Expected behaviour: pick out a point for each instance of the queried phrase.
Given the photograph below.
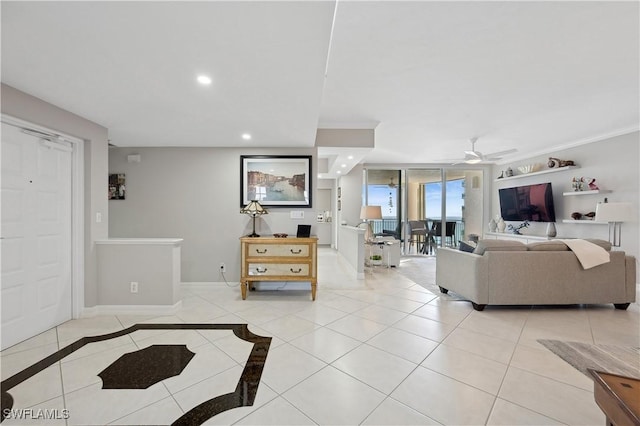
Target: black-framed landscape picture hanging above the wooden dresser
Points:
(276, 180)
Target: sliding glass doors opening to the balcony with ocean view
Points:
(426, 208)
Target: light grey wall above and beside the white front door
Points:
(29, 108)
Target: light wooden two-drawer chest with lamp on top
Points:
(278, 259)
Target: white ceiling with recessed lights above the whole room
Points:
(426, 75)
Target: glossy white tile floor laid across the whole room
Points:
(383, 350)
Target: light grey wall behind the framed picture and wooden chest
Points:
(194, 194)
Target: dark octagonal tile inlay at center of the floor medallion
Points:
(146, 367)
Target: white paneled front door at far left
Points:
(36, 235)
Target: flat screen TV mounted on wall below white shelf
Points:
(530, 202)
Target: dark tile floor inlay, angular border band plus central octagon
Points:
(161, 361)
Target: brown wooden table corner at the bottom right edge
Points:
(618, 397)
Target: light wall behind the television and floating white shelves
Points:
(614, 164)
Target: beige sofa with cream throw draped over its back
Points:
(501, 272)
